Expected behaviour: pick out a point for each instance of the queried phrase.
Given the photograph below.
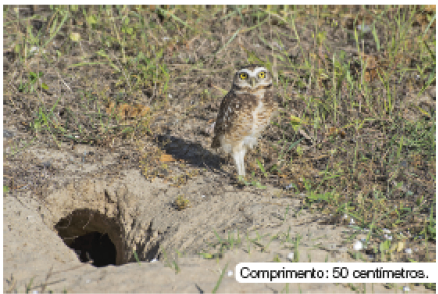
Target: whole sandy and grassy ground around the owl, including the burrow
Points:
(107, 156)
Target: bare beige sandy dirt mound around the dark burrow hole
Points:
(140, 216)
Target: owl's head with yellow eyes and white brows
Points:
(252, 77)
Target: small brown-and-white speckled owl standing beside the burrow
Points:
(244, 113)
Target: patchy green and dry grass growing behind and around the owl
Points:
(354, 131)
